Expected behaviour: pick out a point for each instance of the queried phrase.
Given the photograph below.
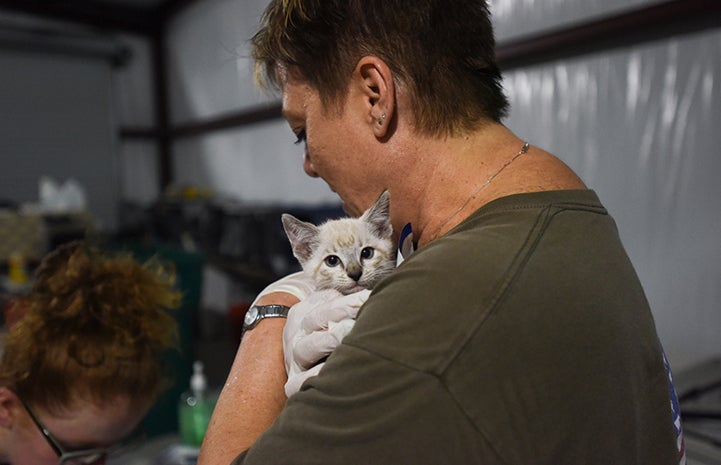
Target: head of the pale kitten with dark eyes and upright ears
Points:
(347, 254)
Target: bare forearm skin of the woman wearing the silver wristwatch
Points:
(253, 394)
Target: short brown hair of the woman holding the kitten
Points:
(442, 51)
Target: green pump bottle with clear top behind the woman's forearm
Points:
(195, 408)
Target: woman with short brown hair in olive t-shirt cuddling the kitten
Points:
(517, 332)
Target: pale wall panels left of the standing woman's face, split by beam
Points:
(213, 74)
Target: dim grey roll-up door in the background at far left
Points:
(56, 120)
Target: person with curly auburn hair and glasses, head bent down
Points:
(82, 356)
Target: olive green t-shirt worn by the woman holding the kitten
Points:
(521, 337)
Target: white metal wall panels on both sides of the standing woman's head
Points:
(640, 125)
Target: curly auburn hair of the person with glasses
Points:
(95, 326)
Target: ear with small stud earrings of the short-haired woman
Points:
(377, 87)
